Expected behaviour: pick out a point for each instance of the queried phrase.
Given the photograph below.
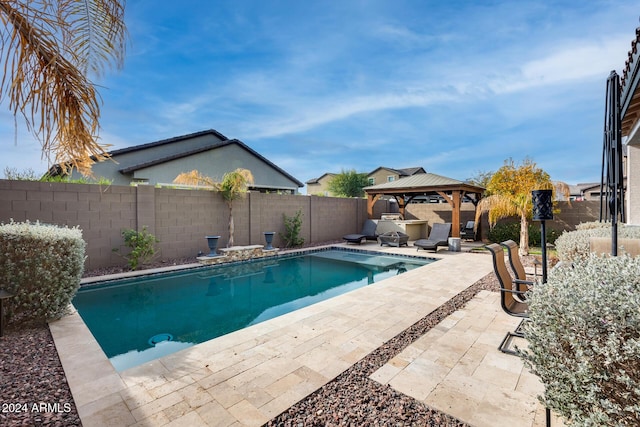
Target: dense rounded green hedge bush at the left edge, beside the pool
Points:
(42, 266)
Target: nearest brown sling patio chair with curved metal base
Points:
(512, 300)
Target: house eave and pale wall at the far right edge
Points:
(630, 115)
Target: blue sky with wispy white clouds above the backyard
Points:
(319, 86)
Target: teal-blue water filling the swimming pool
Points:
(137, 320)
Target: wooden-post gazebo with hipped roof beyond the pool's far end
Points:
(425, 184)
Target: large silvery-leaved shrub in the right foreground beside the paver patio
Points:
(584, 341)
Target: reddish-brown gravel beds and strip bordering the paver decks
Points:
(35, 391)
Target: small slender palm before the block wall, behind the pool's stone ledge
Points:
(233, 186)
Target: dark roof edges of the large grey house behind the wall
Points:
(215, 146)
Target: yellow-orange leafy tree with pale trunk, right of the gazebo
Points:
(509, 194)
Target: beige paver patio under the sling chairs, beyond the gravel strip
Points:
(457, 368)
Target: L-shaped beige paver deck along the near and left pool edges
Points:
(241, 364)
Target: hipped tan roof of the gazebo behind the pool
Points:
(420, 183)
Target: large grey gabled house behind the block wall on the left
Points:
(209, 152)
